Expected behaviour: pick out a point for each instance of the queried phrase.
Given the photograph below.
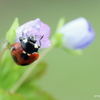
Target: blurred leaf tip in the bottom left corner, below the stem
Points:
(5, 95)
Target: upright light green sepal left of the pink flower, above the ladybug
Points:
(11, 34)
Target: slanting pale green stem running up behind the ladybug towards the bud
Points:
(27, 73)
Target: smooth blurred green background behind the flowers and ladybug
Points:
(67, 77)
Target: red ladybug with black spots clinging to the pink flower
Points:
(25, 52)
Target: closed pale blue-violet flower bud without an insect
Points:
(78, 34)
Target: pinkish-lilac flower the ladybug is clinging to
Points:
(36, 28)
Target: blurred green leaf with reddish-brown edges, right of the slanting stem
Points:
(30, 89)
